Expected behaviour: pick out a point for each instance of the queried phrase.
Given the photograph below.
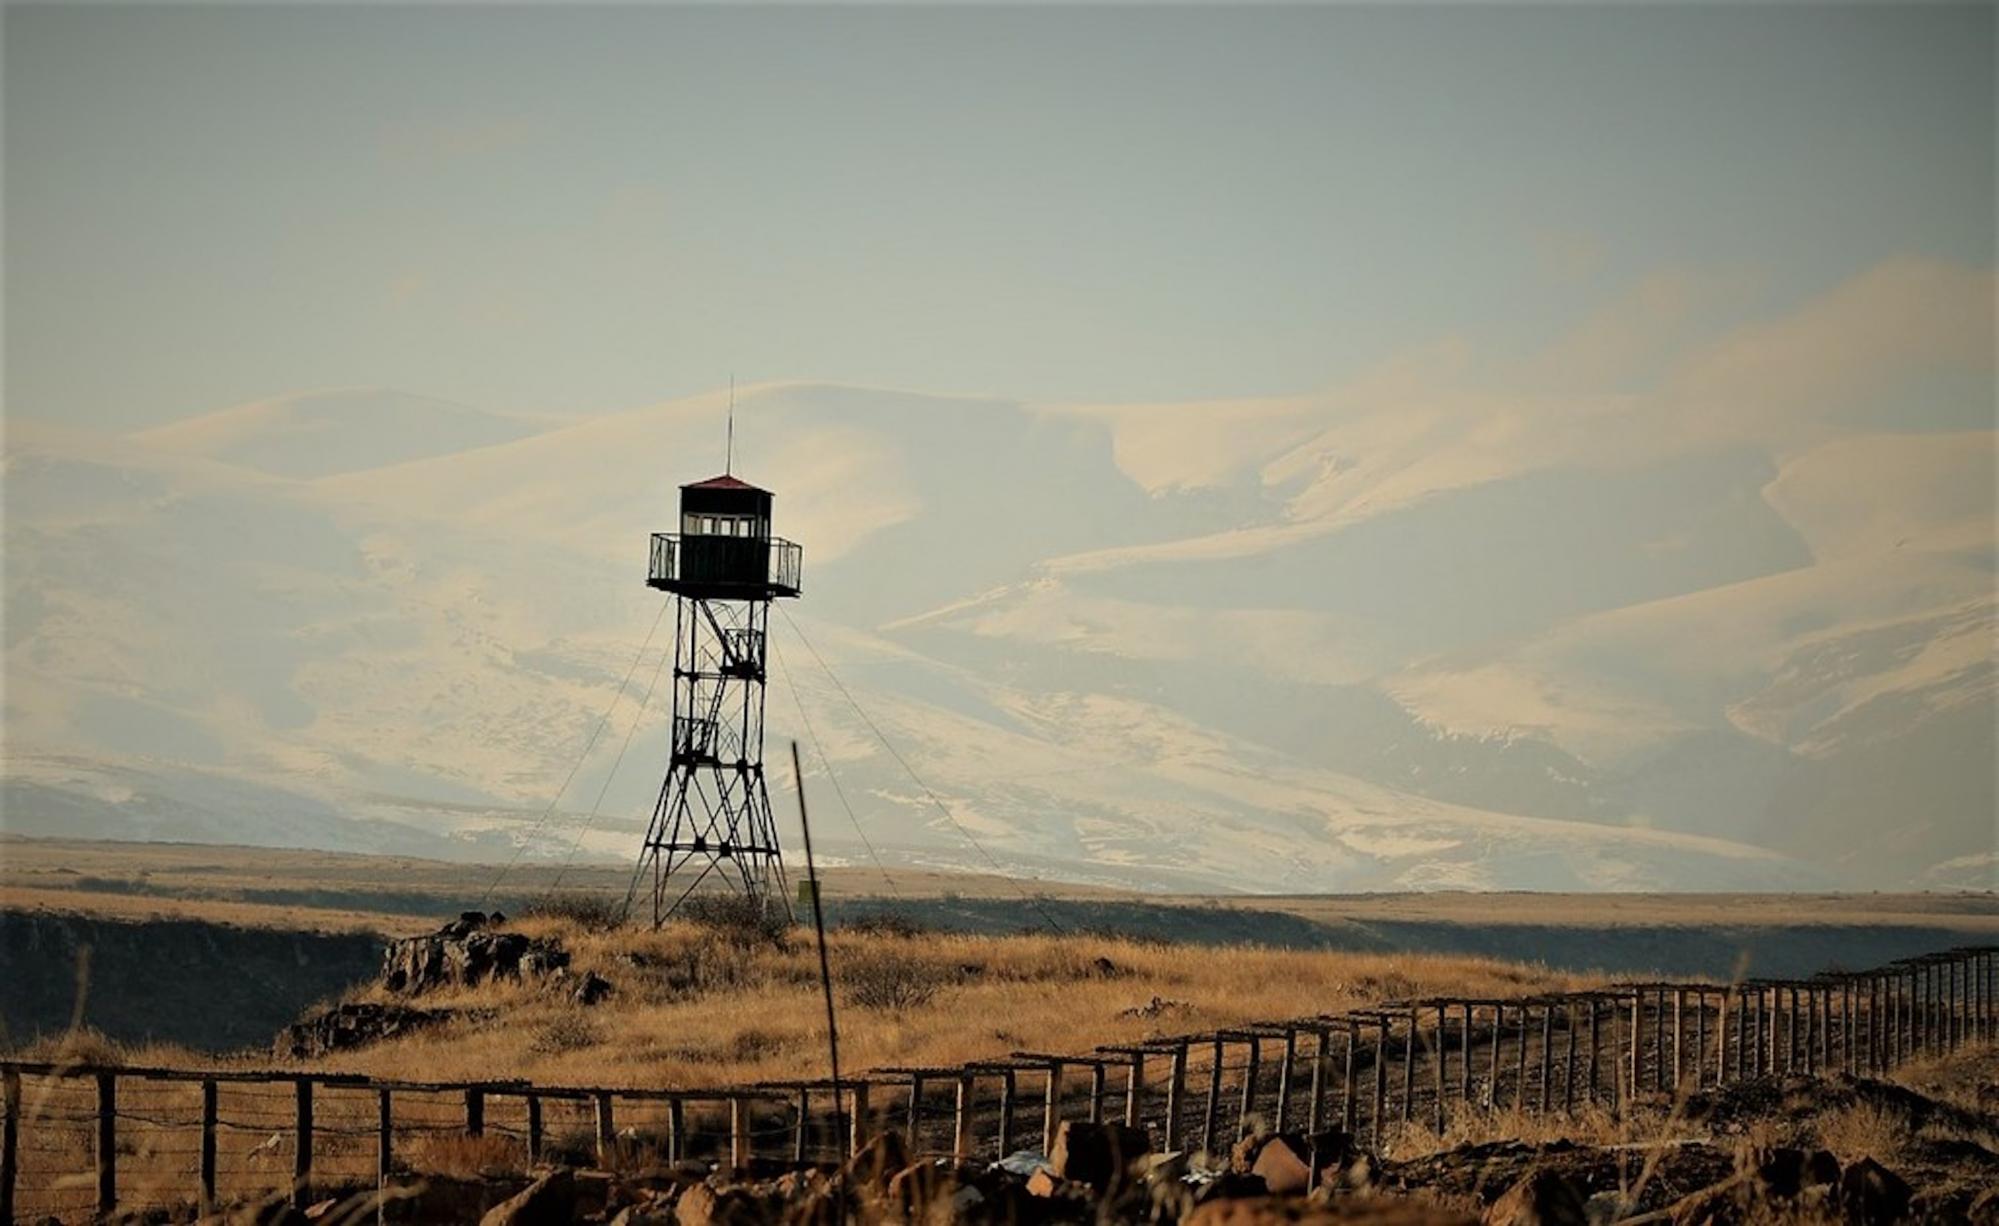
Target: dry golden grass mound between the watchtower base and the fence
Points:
(699, 1009)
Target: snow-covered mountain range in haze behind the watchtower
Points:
(1398, 635)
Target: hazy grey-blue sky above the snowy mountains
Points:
(583, 209)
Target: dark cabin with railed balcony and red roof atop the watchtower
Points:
(725, 549)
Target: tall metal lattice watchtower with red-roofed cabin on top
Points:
(713, 817)
